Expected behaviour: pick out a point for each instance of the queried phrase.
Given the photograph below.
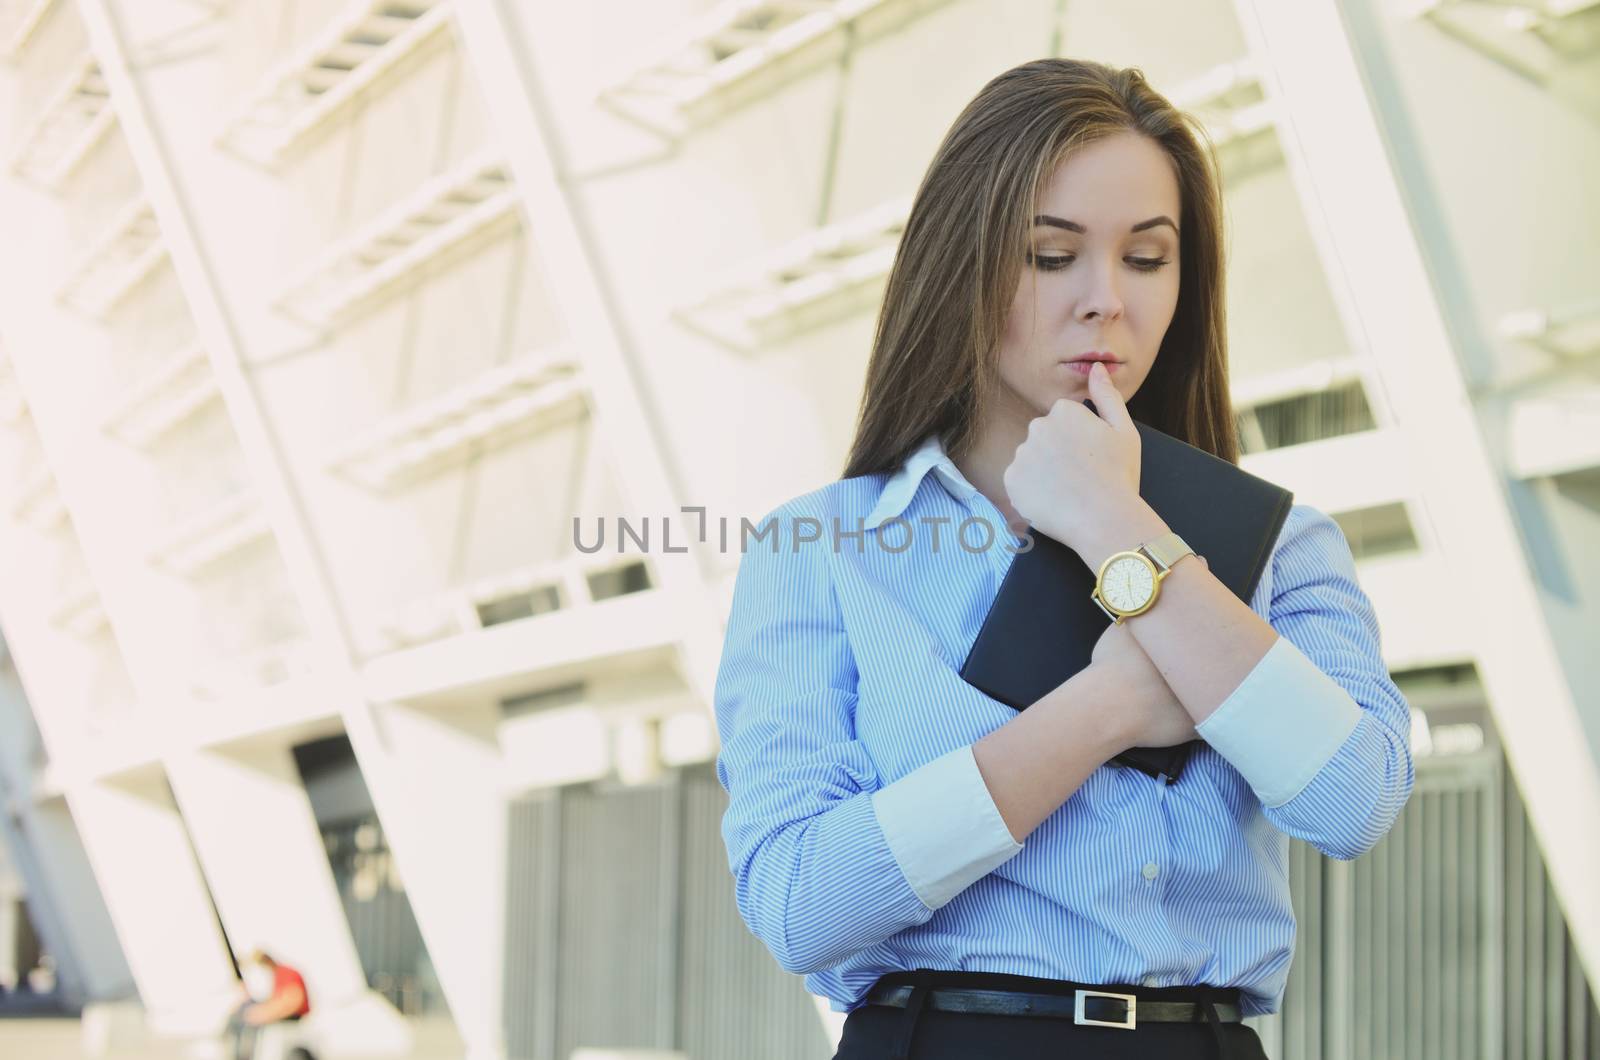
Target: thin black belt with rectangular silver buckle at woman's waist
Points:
(1090, 1008)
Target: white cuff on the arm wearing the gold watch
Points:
(1282, 725)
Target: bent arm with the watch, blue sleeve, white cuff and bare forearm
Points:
(1303, 705)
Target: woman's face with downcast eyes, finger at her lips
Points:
(1102, 276)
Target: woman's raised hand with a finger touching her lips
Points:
(1078, 472)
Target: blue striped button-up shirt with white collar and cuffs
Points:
(862, 837)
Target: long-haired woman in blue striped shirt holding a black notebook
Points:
(902, 838)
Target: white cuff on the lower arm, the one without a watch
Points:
(943, 827)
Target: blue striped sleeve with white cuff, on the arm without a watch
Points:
(826, 859)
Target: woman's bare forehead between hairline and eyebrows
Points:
(1114, 183)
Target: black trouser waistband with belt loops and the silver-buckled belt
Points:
(1082, 1003)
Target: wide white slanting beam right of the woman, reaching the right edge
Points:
(1313, 58)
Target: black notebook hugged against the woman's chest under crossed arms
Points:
(1044, 625)
